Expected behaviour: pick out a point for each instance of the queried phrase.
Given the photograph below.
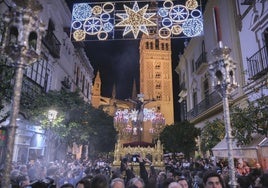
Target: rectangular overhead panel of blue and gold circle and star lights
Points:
(129, 20)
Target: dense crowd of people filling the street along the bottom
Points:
(178, 173)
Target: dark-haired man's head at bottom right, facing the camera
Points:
(212, 179)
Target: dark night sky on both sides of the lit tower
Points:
(118, 63)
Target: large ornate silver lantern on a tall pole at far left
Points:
(21, 44)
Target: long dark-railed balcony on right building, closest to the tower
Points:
(210, 101)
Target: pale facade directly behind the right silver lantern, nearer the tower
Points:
(199, 101)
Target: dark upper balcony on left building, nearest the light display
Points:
(52, 44)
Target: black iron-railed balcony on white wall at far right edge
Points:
(258, 64)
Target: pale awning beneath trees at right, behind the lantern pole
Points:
(247, 151)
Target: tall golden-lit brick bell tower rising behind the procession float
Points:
(156, 74)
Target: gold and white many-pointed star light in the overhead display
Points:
(135, 20)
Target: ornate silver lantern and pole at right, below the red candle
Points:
(223, 80)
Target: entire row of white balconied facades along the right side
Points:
(244, 30)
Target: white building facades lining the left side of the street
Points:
(64, 65)
